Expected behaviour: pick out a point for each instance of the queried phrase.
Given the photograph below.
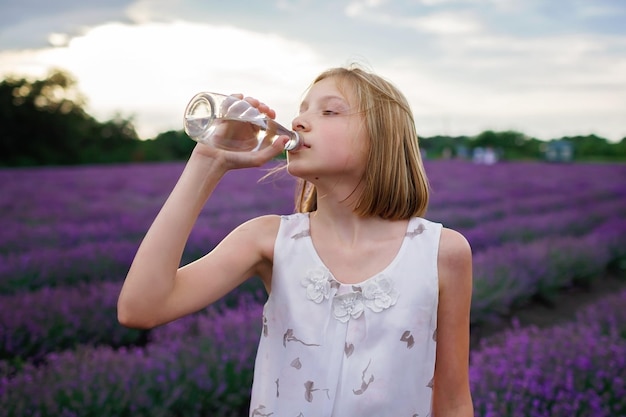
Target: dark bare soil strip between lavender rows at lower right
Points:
(562, 309)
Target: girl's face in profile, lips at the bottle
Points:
(334, 136)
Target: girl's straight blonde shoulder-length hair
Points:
(395, 182)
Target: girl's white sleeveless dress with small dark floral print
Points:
(331, 349)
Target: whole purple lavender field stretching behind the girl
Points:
(68, 235)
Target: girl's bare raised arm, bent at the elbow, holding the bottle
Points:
(156, 291)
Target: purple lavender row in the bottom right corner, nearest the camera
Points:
(576, 369)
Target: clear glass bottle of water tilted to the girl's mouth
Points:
(229, 123)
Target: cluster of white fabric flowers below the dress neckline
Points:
(376, 294)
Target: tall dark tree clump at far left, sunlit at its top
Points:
(43, 122)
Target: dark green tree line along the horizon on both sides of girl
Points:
(43, 122)
